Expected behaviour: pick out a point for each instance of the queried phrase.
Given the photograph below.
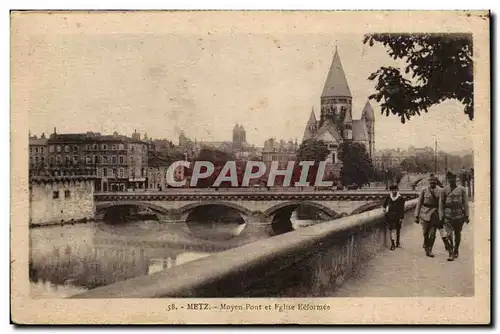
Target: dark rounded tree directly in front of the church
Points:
(357, 167)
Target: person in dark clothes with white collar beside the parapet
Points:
(394, 209)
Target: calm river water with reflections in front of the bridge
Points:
(71, 259)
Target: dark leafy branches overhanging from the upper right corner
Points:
(440, 66)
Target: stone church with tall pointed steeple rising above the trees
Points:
(336, 124)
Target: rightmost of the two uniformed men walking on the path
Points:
(456, 211)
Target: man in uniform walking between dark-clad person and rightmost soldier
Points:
(429, 213)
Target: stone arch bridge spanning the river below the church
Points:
(256, 207)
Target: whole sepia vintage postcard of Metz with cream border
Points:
(246, 167)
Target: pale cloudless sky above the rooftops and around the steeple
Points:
(205, 83)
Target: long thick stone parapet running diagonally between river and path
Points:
(310, 261)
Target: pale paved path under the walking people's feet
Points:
(407, 272)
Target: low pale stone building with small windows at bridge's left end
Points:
(59, 199)
